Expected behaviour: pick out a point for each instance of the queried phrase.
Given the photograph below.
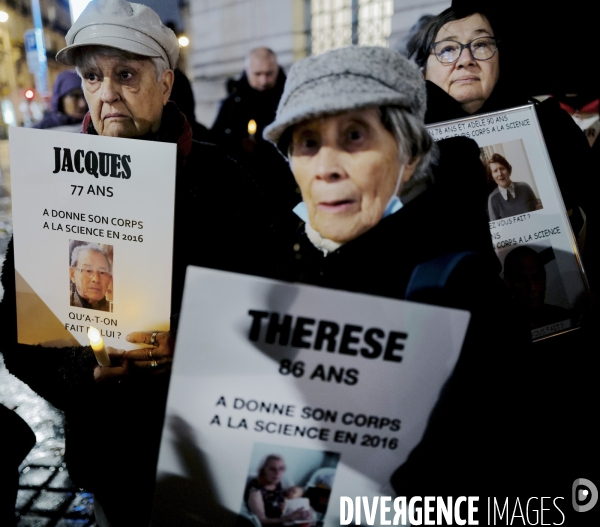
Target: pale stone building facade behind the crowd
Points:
(223, 31)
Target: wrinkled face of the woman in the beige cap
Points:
(124, 96)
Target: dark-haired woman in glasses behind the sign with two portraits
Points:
(459, 54)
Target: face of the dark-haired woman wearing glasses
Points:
(467, 80)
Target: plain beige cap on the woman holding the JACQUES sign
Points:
(122, 25)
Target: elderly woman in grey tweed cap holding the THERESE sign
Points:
(351, 123)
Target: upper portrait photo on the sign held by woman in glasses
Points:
(513, 190)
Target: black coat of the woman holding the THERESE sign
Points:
(464, 426)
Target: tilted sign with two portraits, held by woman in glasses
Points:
(529, 226)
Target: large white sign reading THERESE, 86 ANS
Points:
(325, 391)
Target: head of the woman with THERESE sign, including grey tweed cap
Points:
(367, 105)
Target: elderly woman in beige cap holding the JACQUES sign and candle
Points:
(125, 57)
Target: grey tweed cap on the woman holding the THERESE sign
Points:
(347, 79)
